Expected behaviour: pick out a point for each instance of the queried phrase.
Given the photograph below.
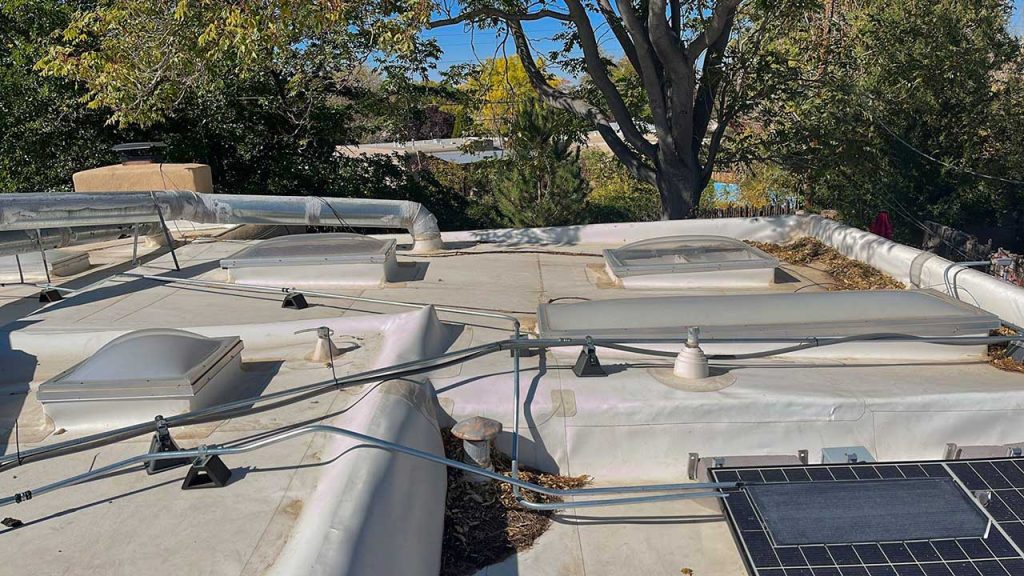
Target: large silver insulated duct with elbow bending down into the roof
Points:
(36, 212)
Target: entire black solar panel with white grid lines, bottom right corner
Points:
(997, 552)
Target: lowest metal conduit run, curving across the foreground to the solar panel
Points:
(682, 491)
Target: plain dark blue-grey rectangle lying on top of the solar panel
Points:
(844, 513)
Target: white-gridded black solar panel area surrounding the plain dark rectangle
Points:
(1001, 553)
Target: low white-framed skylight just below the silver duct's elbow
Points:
(315, 262)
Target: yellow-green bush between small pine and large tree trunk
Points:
(616, 196)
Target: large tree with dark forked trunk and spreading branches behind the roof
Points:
(697, 61)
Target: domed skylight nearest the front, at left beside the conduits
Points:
(141, 375)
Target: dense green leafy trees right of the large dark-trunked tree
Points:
(884, 78)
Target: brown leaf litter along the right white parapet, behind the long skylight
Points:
(848, 274)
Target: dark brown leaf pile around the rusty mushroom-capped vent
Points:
(483, 523)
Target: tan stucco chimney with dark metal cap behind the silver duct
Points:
(142, 171)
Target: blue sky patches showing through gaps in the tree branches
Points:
(462, 48)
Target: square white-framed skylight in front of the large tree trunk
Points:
(691, 262)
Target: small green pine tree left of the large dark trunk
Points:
(541, 185)
